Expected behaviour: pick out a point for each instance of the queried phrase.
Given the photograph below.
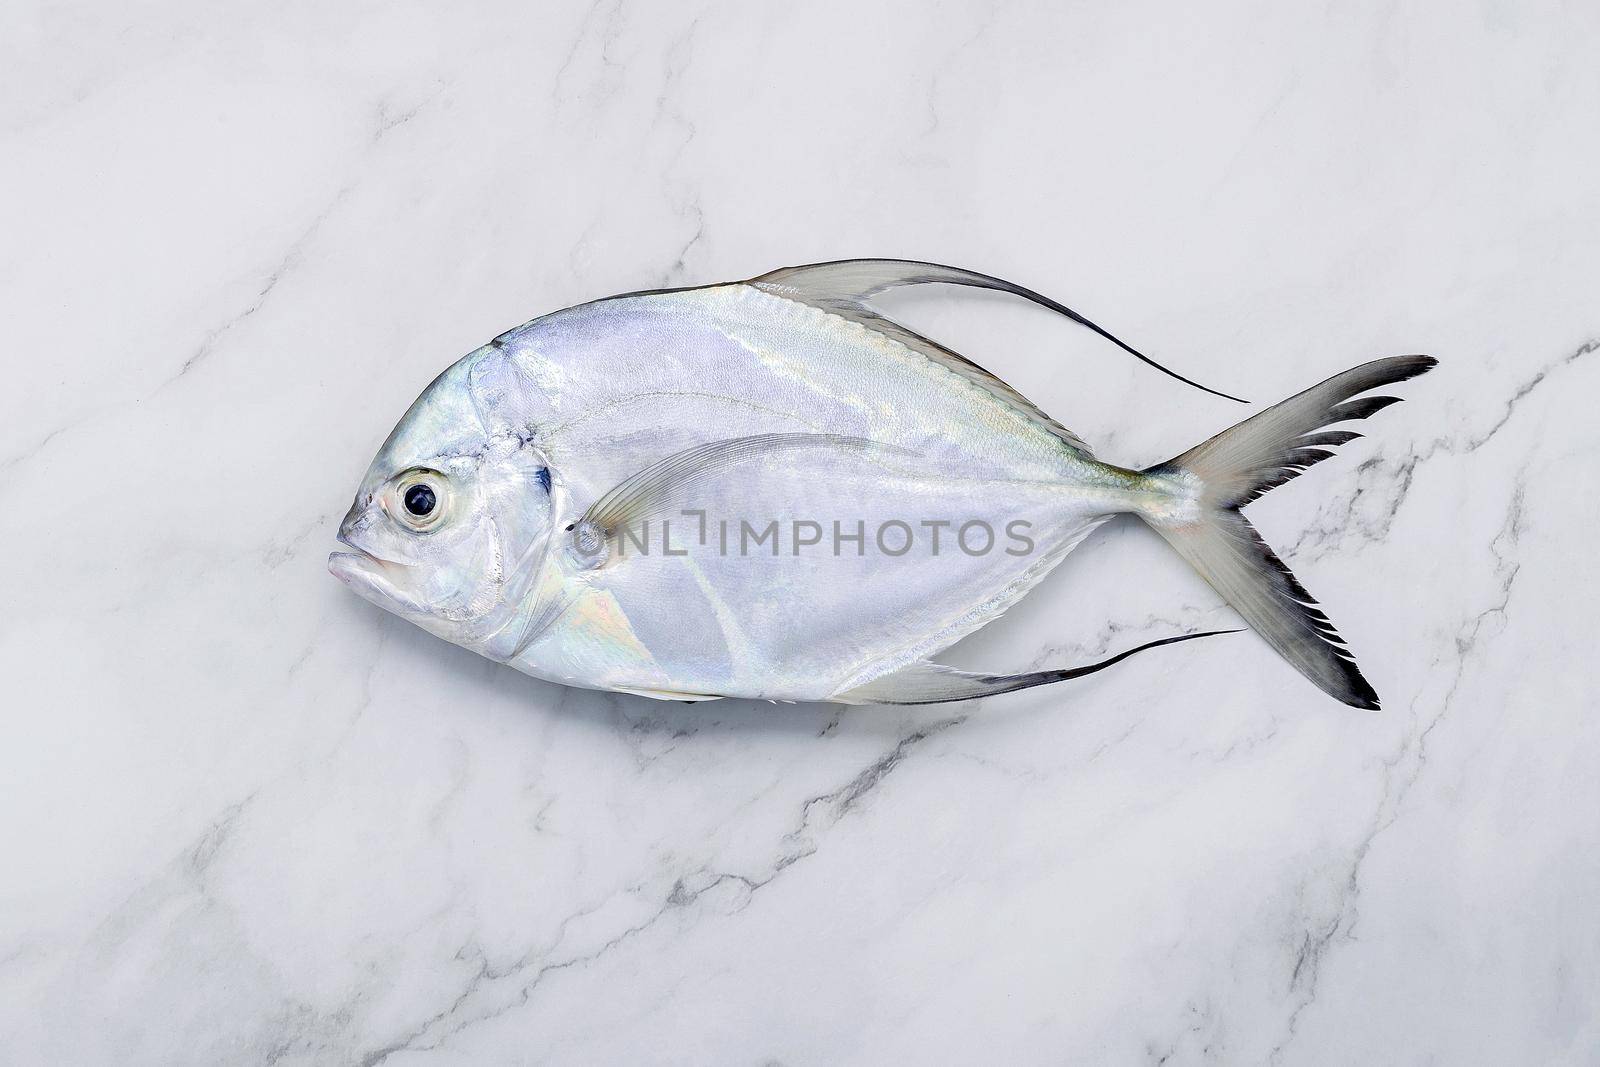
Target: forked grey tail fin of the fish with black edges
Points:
(1206, 489)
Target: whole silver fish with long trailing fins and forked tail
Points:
(772, 490)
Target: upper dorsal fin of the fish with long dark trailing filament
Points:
(847, 287)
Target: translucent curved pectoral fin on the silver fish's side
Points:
(668, 486)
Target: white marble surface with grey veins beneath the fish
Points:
(249, 818)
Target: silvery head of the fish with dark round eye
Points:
(452, 521)
